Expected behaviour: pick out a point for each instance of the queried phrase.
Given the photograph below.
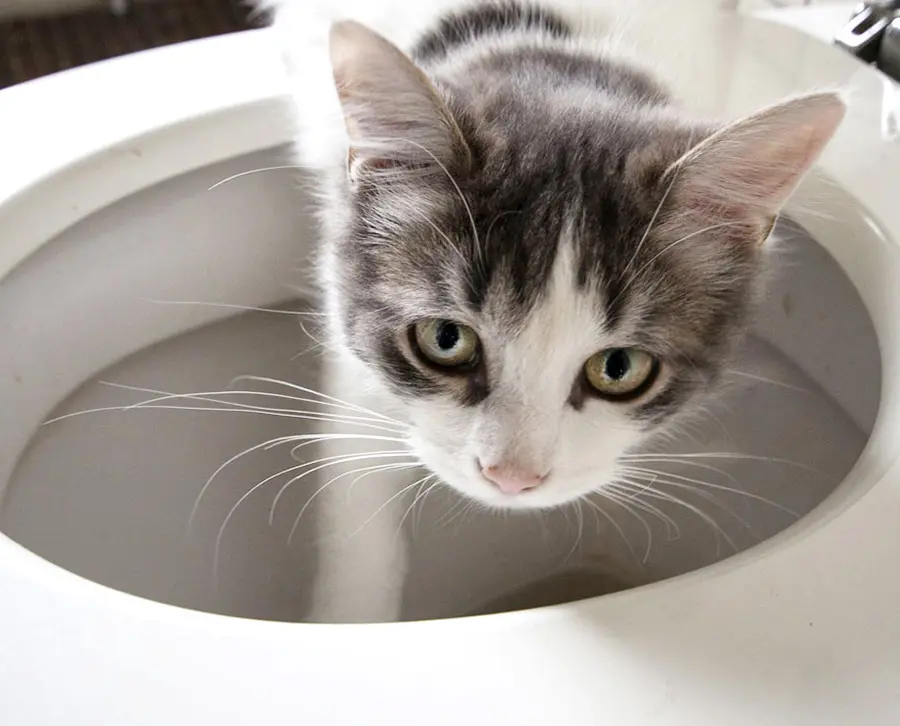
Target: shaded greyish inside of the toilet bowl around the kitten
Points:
(117, 298)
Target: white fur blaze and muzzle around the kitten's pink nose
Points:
(527, 422)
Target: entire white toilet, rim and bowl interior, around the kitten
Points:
(132, 243)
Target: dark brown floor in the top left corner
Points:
(35, 47)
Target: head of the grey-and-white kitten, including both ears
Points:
(546, 277)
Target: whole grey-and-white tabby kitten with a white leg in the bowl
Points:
(531, 258)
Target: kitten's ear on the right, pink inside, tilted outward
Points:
(746, 171)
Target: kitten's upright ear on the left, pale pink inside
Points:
(394, 116)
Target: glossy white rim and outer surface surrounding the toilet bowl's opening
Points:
(802, 629)
